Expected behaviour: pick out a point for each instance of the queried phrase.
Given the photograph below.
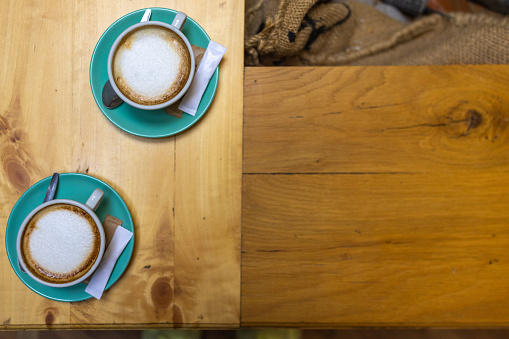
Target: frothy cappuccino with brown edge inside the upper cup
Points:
(151, 65)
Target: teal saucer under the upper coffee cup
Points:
(149, 124)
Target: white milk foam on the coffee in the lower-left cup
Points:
(61, 241)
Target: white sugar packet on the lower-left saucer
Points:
(101, 275)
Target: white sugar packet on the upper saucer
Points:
(208, 65)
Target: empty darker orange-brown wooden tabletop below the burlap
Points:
(375, 197)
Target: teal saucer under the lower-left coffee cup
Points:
(77, 187)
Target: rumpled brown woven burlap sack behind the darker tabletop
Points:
(317, 32)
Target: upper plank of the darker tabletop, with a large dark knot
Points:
(375, 119)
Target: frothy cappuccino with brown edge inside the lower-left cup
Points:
(60, 243)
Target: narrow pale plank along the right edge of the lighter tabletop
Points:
(208, 184)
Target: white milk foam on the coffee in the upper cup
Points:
(149, 62)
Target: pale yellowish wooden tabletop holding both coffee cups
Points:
(49, 122)
